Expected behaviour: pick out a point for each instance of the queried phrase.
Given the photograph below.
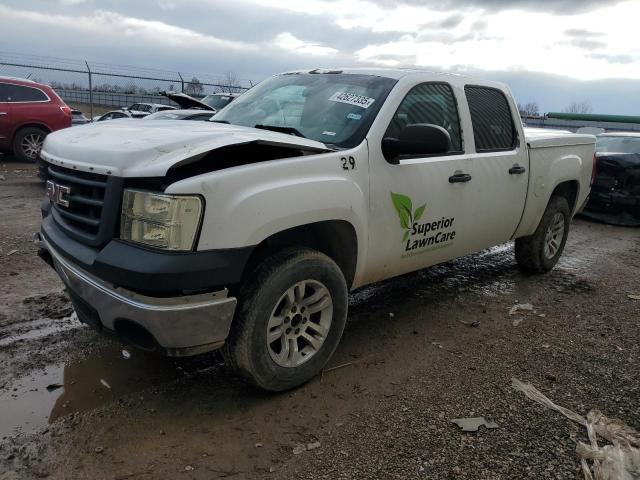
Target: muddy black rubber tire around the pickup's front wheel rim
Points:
(247, 350)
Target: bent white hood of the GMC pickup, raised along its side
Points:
(132, 148)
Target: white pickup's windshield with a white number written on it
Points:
(331, 108)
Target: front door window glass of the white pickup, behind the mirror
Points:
(432, 103)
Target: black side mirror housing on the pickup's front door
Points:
(416, 139)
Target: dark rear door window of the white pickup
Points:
(493, 127)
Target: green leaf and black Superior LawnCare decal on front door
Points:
(420, 235)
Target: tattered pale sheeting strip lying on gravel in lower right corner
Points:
(619, 461)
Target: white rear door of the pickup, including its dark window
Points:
(500, 167)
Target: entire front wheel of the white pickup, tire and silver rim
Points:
(291, 315)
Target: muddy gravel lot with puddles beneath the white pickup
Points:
(418, 351)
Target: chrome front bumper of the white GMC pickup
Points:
(177, 326)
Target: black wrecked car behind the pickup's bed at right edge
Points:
(615, 194)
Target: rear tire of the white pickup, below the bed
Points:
(531, 254)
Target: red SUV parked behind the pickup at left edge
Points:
(28, 112)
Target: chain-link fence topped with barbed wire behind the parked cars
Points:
(94, 87)
